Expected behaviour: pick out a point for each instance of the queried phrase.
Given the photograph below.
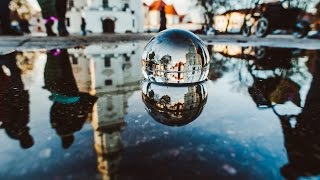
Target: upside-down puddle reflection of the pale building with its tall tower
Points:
(113, 77)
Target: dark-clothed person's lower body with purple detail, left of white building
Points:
(54, 10)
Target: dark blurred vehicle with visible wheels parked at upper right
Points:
(267, 17)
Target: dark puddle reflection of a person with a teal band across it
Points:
(70, 107)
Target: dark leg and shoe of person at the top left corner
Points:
(5, 19)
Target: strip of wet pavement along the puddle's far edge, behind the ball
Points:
(23, 43)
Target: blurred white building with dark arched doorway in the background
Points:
(107, 16)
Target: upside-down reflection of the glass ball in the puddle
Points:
(174, 105)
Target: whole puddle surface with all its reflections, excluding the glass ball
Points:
(81, 113)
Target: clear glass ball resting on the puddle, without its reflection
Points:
(175, 57)
